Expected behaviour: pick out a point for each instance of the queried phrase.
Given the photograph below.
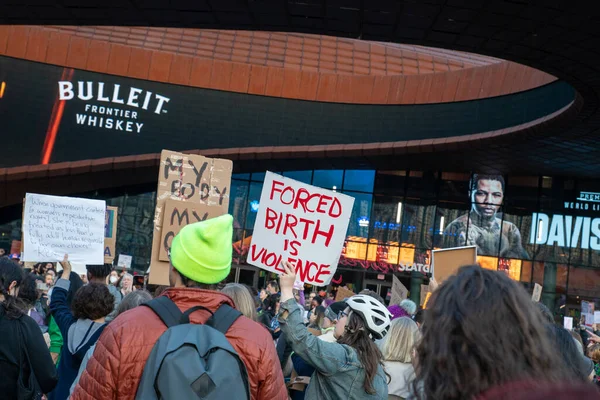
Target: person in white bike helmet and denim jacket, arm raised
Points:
(350, 369)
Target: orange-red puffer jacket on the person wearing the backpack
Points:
(115, 369)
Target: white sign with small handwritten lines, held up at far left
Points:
(54, 226)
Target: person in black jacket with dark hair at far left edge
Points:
(23, 351)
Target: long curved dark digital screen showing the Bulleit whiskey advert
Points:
(52, 114)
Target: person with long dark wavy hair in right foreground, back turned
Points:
(483, 338)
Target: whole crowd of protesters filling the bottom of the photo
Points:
(481, 336)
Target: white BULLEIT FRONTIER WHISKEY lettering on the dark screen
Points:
(108, 112)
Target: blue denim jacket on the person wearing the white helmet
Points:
(338, 371)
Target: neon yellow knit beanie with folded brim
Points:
(202, 251)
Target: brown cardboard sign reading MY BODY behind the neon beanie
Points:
(186, 178)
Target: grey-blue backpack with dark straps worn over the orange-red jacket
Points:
(191, 361)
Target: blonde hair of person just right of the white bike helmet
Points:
(400, 340)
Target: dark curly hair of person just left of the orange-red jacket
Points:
(93, 301)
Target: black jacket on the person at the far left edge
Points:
(12, 353)
